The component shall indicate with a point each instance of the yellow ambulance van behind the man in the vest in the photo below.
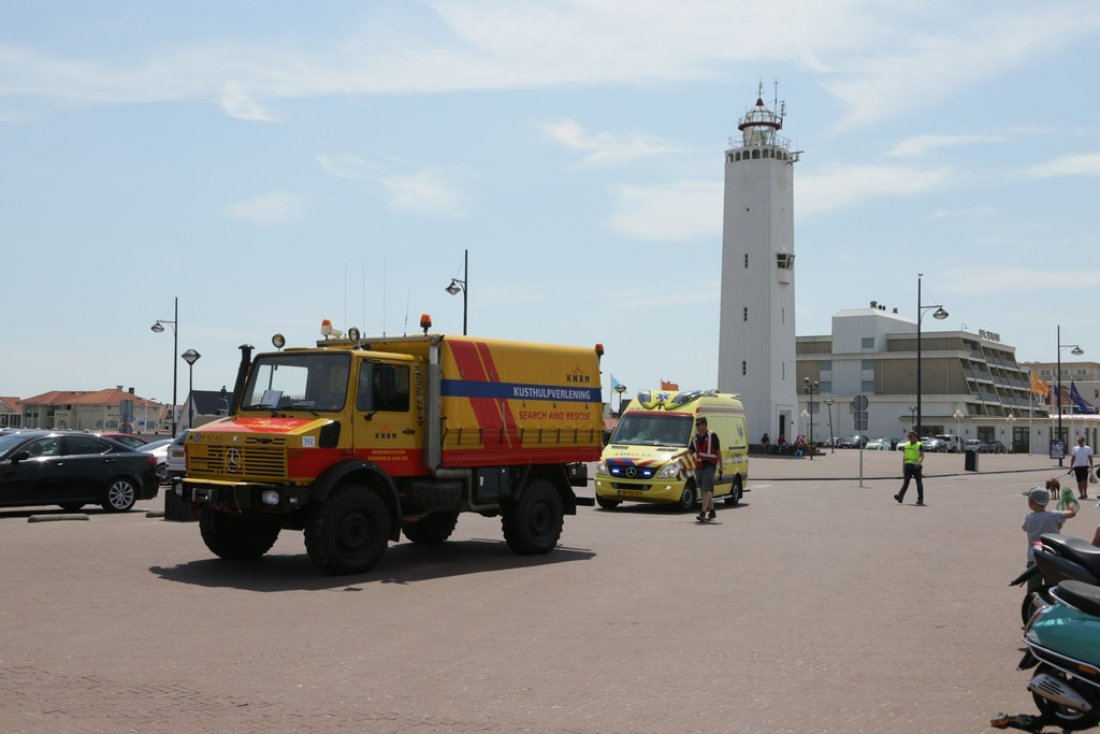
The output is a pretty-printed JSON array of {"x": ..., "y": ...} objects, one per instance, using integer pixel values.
[{"x": 639, "y": 464}]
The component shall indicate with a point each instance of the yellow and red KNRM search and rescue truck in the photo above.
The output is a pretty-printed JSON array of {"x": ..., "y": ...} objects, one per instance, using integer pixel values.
[{"x": 360, "y": 440}]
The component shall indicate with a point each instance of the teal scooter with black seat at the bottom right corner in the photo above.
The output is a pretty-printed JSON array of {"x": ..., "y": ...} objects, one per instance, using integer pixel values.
[{"x": 1063, "y": 644}]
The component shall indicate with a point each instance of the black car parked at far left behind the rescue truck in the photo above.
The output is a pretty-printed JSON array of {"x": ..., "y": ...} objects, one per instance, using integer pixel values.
[{"x": 73, "y": 469}]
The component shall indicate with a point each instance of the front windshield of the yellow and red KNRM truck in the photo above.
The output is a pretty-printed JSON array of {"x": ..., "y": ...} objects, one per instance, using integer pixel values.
[{"x": 299, "y": 381}]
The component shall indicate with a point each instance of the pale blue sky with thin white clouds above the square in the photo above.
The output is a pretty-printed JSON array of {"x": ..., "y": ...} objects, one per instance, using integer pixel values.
[{"x": 273, "y": 163}]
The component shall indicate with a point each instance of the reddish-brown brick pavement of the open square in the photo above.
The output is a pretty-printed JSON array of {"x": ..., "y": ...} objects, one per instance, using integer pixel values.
[{"x": 819, "y": 606}]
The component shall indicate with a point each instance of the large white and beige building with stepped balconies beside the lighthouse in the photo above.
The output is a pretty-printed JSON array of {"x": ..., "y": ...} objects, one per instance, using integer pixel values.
[{"x": 972, "y": 385}]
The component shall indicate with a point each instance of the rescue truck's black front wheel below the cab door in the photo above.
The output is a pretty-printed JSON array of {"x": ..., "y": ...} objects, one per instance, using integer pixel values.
[{"x": 350, "y": 532}]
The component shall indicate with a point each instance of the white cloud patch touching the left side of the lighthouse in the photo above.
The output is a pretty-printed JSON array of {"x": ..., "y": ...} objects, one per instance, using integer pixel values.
[{"x": 678, "y": 212}]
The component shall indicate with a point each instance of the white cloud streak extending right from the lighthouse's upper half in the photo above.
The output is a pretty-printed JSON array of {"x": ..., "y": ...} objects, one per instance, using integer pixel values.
[{"x": 841, "y": 188}]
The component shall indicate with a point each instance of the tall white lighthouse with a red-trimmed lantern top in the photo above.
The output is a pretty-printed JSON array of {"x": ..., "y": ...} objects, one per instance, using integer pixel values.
[{"x": 756, "y": 341}]
